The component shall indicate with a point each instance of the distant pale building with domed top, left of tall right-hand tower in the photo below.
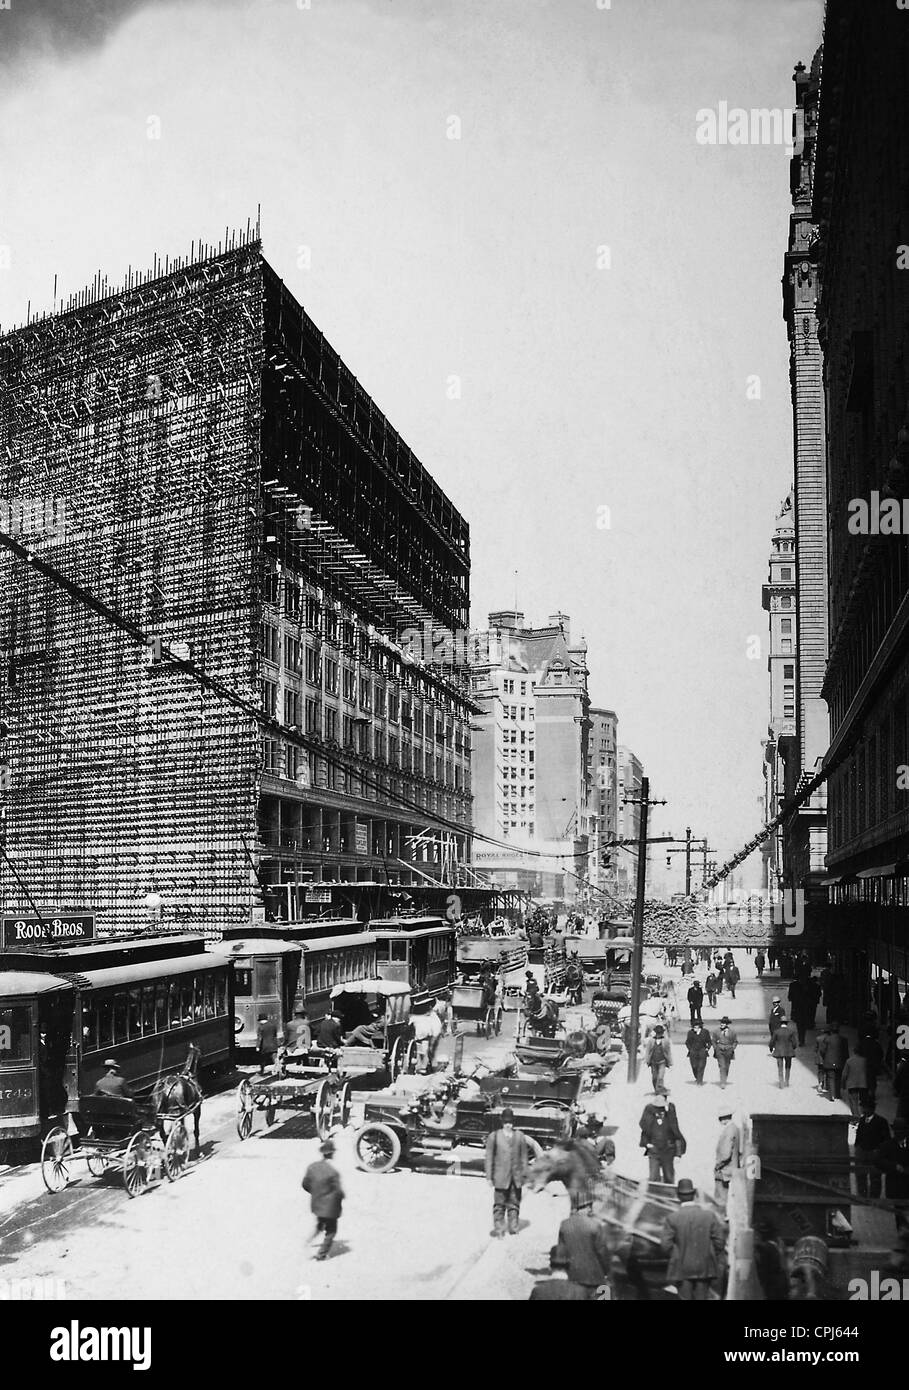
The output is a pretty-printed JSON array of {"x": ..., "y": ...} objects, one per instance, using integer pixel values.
[{"x": 780, "y": 747}]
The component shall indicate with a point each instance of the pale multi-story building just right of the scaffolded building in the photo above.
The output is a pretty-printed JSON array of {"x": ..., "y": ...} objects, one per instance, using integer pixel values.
[{"x": 530, "y": 755}]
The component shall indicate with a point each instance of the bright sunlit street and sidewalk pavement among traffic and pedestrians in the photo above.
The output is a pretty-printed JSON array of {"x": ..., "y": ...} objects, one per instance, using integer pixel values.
[{"x": 238, "y": 1224}]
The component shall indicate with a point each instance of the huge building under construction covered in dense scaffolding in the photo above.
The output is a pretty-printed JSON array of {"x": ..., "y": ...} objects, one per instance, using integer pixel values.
[{"x": 208, "y": 696}]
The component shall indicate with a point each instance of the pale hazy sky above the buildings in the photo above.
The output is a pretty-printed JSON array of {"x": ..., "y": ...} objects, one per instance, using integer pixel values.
[{"x": 500, "y": 215}]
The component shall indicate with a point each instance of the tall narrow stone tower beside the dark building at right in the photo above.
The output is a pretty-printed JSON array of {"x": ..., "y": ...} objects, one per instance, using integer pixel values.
[{"x": 805, "y": 832}]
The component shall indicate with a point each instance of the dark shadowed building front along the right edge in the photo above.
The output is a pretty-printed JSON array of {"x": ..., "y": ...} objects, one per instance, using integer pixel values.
[{"x": 861, "y": 187}]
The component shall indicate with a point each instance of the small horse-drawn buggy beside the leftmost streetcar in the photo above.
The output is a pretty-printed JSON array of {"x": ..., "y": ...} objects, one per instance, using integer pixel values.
[{"x": 117, "y": 1134}]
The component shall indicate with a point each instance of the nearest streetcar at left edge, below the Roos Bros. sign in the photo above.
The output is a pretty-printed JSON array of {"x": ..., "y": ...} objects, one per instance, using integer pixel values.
[{"x": 65, "y": 1011}]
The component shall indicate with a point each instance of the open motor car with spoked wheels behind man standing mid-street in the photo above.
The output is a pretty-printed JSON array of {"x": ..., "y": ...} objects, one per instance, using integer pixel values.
[{"x": 408, "y": 1128}]
